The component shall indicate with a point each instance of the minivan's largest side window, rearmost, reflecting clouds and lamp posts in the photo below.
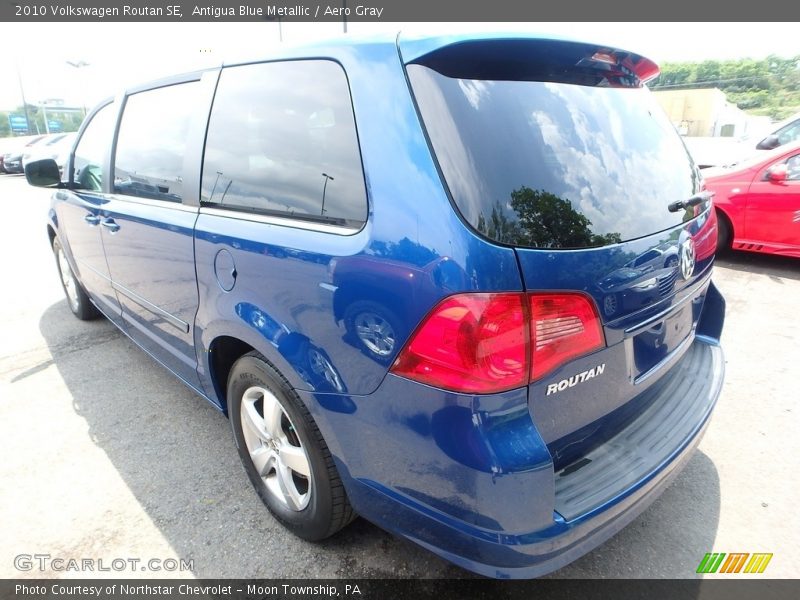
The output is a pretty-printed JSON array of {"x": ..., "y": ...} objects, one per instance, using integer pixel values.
[{"x": 282, "y": 141}]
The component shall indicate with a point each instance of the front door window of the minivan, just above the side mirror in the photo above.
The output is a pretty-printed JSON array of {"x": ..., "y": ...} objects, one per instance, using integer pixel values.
[{"x": 90, "y": 155}]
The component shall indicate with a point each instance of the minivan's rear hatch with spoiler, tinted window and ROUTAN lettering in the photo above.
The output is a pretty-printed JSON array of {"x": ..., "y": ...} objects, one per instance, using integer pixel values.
[{"x": 558, "y": 150}]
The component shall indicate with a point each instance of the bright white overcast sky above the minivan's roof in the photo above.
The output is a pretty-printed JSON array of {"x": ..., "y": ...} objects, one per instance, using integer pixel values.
[{"x": 120, "y": 54}]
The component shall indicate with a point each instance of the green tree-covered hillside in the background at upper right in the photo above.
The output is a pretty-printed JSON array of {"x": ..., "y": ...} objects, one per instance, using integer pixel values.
[{"x": 770, "y": 86}]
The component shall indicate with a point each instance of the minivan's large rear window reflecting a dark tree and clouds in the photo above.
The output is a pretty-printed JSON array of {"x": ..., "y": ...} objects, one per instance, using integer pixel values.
[{"x": 555, "y": 164}]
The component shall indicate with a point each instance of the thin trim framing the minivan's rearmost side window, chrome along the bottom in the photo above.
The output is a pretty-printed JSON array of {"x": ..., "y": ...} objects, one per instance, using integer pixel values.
[{"x": 264, "y": 216}]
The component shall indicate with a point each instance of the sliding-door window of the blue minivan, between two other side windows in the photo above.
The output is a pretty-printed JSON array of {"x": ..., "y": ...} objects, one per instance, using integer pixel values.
[{"x": 152, "y": 143}]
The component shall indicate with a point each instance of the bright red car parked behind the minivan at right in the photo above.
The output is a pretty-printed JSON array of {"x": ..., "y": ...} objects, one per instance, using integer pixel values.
[{"x": 758, "y": 203}]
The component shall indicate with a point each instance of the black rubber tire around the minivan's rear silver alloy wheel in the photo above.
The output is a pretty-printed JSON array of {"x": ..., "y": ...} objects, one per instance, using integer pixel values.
[{"x": 327, "y": 509}]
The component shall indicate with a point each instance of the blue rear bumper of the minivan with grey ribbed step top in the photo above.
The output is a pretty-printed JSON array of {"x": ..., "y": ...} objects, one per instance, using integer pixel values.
[{"x": 473, "y": 482}]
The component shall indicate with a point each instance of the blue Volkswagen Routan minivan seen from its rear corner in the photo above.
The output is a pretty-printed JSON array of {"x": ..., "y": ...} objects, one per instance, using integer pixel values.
[{"x": 460, "y": 286}]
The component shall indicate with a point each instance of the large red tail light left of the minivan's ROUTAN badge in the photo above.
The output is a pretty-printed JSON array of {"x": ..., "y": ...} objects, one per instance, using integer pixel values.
[{"x": 489, "y": 343}]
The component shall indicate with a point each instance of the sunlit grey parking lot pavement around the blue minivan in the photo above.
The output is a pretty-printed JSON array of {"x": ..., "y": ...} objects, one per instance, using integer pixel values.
[{"x": 107, "y": 455}]
